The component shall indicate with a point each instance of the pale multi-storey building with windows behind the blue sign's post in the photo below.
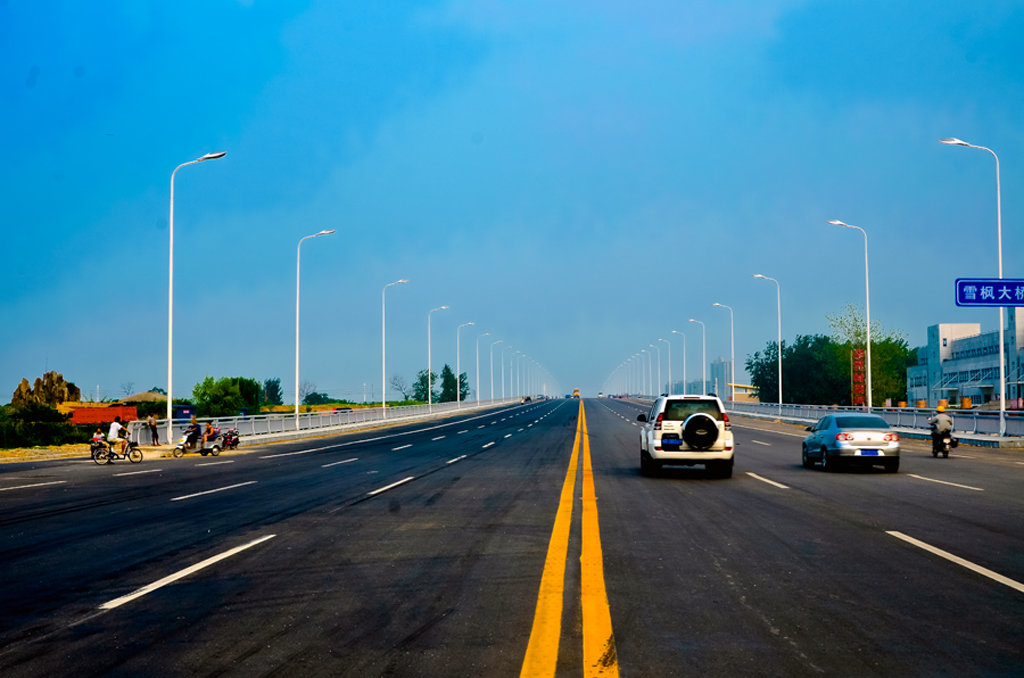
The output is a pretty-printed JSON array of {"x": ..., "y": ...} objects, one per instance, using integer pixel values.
[{"x": 960, "y": 363}]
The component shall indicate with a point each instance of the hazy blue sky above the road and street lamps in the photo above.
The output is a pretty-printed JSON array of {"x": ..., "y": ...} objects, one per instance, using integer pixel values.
[{"x": 577, "y": 179}]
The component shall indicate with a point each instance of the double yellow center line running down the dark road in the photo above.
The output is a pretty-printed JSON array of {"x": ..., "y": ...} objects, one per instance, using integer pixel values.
[{"x": 599, "y": 642}]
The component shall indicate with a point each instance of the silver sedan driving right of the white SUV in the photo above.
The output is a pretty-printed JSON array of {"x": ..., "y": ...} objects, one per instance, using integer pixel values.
[{"x": 843, "y": 440}]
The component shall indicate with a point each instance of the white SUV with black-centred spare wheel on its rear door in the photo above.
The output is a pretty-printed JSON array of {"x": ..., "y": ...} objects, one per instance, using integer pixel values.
[{"x": 687, "y": 431}]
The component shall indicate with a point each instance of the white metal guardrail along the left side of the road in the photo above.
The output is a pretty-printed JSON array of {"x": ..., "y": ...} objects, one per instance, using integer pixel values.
[{"x": 308, "y": 421}]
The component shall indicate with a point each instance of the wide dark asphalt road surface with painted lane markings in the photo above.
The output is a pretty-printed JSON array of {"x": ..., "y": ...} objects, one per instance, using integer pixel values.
[{"x": 523, "y": 541}]
